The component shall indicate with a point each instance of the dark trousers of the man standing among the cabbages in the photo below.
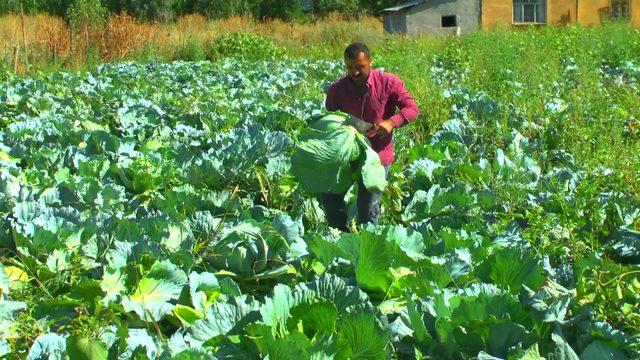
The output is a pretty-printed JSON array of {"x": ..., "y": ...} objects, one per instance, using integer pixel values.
[{"x": 368, "y": 204}]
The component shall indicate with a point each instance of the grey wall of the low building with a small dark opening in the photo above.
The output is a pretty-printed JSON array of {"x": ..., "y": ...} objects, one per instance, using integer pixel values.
[{"x": 426, "y": 18}]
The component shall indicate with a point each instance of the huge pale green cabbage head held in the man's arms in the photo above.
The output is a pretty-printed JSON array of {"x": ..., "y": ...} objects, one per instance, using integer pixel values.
[{"x": 330, "y": 156}]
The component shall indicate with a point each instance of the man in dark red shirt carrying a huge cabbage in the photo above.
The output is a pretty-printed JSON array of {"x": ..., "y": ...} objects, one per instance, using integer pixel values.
[{"x": 377, "y": 98}]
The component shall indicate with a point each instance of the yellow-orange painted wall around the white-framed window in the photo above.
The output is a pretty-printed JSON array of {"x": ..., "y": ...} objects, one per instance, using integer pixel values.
[{"x": 559, "y": 12}]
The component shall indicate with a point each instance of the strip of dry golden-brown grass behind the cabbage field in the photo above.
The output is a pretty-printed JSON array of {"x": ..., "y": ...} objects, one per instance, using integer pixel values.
[{"x": 49, "y": 39}]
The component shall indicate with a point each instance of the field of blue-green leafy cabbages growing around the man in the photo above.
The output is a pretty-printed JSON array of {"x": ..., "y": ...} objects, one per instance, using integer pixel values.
[{"x": 150, "y": 211}]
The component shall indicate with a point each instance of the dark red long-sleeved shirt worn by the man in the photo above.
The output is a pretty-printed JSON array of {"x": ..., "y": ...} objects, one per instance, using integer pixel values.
[{"x": 386, "y": 98}]
